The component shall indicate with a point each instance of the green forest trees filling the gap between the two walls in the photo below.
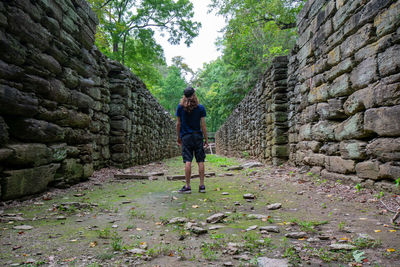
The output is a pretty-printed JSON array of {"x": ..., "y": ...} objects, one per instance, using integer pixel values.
[{"x": 255, "y": 32}]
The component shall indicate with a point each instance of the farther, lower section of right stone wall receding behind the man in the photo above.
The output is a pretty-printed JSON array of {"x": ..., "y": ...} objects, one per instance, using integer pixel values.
[{"x": 258, "y": 125}]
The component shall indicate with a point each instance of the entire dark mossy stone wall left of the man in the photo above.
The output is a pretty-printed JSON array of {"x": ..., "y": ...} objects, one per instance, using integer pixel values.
[{"x": 65, "y": 109}]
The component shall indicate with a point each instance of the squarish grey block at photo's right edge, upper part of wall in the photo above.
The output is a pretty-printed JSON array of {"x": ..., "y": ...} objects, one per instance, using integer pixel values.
[{"x": 389, "y": 61}]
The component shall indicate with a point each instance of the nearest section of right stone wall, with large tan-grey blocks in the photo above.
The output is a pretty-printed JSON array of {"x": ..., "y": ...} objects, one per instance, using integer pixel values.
[{"x": 344, "y": 92}]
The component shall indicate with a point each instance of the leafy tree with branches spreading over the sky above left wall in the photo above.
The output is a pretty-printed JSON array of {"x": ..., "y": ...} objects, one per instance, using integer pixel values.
[{"x": 124, "y": 19}]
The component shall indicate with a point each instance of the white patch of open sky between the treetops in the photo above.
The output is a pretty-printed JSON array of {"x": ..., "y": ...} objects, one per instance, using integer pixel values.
[{"x": 203, "y": 48}]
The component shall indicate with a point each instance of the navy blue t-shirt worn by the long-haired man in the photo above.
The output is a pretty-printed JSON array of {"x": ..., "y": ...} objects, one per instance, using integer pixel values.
[{"x": 190, "y": 122}]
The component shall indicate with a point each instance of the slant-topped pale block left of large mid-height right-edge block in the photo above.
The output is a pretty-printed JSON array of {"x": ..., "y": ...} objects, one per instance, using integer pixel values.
[{"x": 352, "y": 128}]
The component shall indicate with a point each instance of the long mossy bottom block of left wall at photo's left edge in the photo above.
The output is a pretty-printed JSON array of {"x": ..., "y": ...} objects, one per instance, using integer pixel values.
[{"x": 18, "y": 183}]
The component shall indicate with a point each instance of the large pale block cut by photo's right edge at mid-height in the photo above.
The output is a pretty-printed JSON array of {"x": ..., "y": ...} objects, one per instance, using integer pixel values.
[{"x": 383, "y": 121}]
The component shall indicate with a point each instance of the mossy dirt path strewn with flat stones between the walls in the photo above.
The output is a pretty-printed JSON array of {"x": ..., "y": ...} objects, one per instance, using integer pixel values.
[{"x": 109, "y": 222}]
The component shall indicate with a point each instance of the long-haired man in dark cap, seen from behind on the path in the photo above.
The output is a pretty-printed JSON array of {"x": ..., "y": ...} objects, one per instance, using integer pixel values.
[{"x": 190, "y": 129}]
